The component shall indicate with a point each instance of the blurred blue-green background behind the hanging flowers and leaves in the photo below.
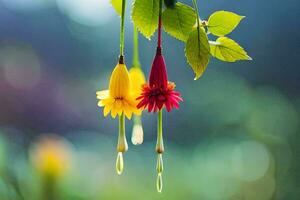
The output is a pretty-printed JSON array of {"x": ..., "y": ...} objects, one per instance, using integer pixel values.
[{"x": 235, "y": 136}]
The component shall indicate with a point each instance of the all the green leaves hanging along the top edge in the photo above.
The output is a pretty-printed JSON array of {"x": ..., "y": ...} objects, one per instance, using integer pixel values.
[{"x": 179, "y": 21}]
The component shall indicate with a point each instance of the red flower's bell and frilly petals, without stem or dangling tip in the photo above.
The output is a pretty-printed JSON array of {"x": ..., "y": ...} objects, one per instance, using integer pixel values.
[{"x": 159, "y": 92}]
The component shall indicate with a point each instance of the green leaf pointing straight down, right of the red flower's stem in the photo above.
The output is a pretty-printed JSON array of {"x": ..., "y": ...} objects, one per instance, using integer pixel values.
[{"x": 197, "y": 51}]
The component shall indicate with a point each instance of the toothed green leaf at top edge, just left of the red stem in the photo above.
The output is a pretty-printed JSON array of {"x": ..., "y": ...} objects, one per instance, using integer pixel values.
[{"x": 145, "y": 16}]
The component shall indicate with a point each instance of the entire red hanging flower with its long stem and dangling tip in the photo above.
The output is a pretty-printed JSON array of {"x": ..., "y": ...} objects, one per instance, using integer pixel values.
[{"x": 156, "y": 95}]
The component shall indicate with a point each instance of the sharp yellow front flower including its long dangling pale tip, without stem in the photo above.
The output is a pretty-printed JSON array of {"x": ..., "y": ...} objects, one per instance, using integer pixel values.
[{"x": 120, "y": 100}]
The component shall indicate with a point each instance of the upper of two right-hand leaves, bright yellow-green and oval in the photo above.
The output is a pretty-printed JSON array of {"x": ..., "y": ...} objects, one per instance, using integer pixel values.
[{"x": 222, "y": 23}]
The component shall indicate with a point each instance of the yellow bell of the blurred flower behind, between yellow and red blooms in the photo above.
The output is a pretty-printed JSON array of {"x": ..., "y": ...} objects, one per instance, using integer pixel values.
[{"x": 137, "y": 78}]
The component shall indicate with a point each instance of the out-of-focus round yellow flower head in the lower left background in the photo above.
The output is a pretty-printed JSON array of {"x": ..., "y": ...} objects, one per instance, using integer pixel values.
[{"x": 51, "y": 156}]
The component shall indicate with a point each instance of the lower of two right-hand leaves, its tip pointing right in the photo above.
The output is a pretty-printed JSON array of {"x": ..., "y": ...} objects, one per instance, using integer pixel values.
[{"x": 226, "y": 49}]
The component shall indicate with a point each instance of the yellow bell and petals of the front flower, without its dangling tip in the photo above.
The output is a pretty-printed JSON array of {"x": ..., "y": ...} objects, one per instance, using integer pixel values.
[{"x": 119, "y": 98}]
